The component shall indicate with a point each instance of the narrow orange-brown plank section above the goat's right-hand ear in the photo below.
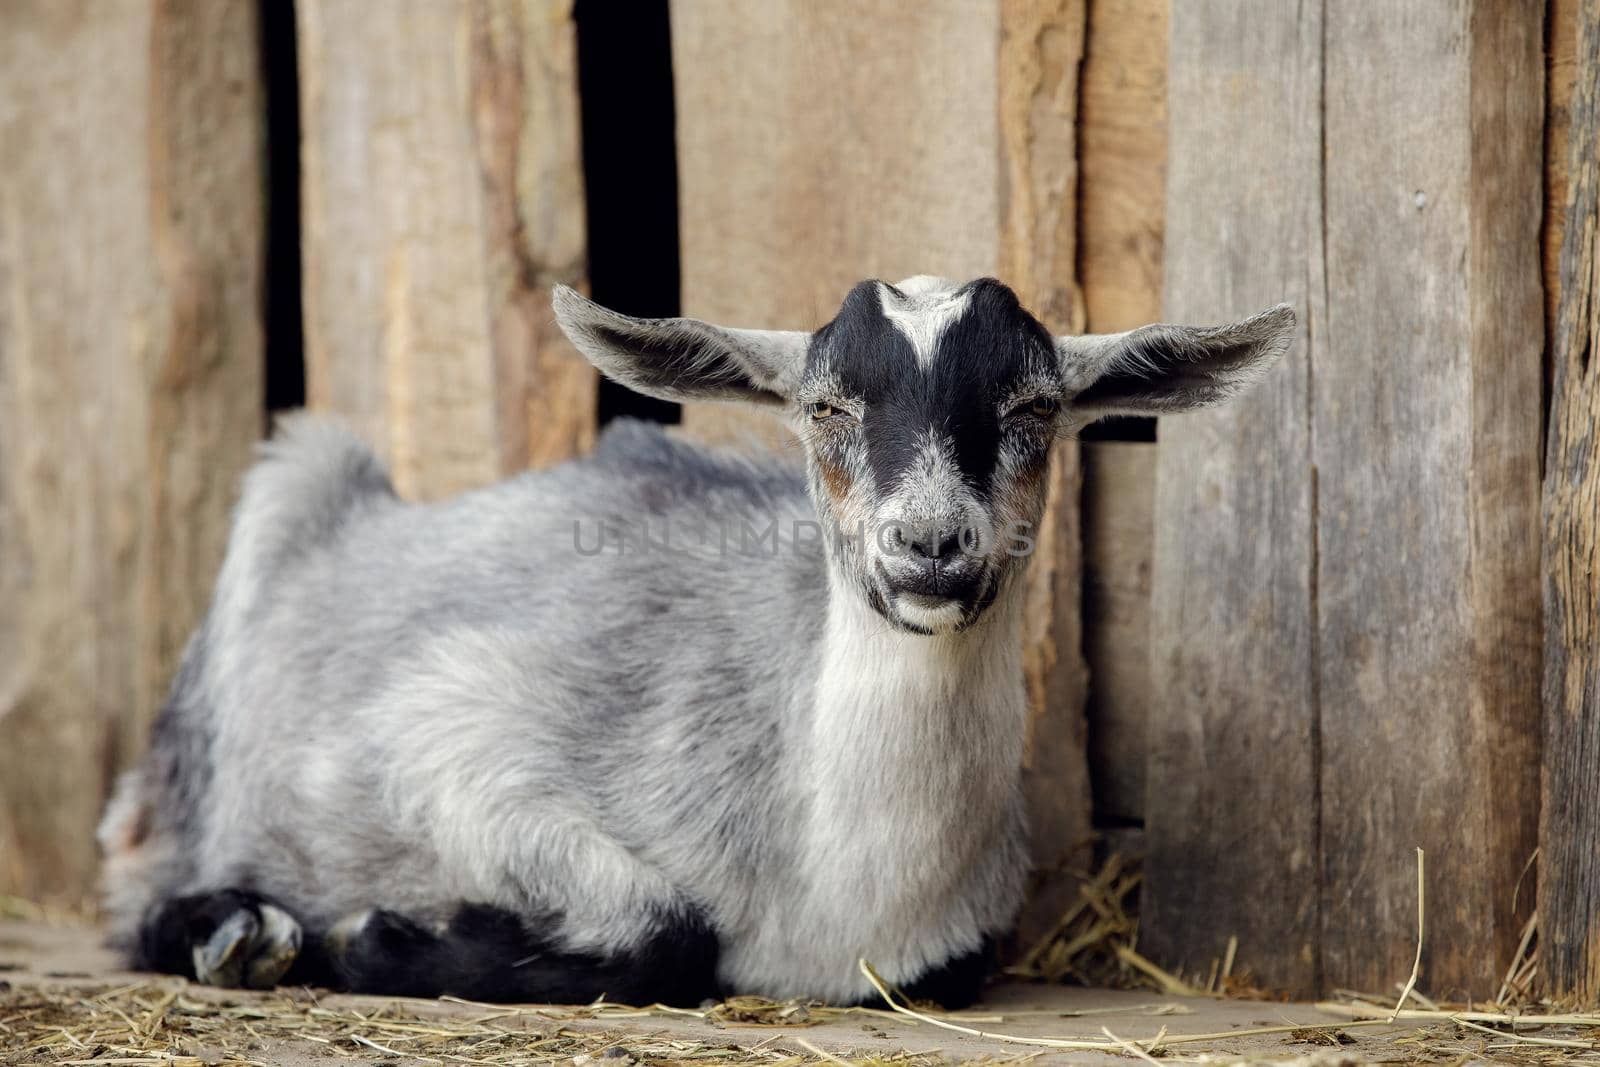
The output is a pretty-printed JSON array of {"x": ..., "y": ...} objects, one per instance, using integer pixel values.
[{"x": 1122, "y": 153}]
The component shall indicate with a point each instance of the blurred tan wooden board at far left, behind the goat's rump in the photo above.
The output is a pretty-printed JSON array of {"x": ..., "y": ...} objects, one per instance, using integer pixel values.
[{"x": 130, "y": 386}]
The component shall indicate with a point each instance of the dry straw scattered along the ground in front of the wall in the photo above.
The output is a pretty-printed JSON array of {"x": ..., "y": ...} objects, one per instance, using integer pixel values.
[{"x": 170, "y": 1023}]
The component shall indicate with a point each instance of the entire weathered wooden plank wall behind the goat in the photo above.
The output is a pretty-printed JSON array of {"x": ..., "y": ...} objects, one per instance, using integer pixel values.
[{"x": 1310, "y": 625}]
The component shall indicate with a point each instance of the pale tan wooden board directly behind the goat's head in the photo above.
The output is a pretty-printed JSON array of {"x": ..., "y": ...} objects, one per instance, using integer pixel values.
[{"x": 884, "y": 140}]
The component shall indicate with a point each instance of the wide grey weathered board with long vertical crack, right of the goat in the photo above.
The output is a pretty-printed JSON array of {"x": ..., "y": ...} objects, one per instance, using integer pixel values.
[{"x": 1345, "y": 599}]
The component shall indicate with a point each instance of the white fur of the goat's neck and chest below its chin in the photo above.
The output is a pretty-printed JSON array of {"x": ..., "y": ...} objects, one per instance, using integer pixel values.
[{"x": 908, "y": 785}]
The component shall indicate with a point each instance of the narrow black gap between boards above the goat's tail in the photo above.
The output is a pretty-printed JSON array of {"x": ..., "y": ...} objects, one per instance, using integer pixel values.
[{"x": 282, "y": 314}]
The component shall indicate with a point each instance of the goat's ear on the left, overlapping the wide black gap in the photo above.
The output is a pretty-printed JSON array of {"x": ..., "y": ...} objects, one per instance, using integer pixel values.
[{"x": 684, "y": 359}]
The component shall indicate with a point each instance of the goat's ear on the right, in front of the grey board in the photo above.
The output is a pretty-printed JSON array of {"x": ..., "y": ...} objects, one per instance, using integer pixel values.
[{"x": 1158, "y": 370}]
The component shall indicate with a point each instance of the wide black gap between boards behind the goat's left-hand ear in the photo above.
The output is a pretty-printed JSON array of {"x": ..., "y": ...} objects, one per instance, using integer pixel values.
[{"x": 631, "y": 172}]
